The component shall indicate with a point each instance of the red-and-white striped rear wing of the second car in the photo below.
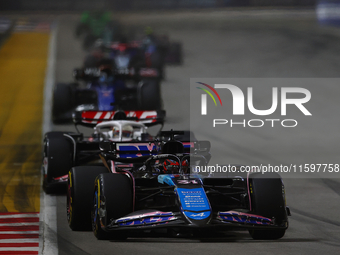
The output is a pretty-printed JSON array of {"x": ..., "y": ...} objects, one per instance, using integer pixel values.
[{"x": 92, "y": 118}]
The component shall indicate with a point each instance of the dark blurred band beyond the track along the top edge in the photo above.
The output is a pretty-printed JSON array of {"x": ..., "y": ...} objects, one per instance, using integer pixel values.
[{"x": 79, "y": 5}]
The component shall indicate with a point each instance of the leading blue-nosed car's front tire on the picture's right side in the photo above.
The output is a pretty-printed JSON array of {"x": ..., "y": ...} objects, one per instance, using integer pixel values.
[{"x": 268, "y": 200}]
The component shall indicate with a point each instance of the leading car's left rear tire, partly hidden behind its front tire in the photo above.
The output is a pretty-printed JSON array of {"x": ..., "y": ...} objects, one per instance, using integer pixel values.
[{"x": 79, "y": 195}]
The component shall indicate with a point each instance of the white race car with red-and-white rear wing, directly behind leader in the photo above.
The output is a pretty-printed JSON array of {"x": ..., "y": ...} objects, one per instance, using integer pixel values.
[{"x": 63, "y": 150}]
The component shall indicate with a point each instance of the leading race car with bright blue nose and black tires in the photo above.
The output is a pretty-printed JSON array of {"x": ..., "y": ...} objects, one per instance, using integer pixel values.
[{"x": 167, "y": 192}]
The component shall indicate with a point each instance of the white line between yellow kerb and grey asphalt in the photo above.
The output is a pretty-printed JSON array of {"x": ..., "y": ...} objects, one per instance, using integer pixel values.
[{"x": 48, "y": 204}]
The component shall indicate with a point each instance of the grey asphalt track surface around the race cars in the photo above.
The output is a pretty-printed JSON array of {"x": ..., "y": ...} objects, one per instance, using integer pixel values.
[{"x": 242, "y": 45}]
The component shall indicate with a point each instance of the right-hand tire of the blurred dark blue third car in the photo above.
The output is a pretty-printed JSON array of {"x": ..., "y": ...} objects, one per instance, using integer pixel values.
[{"x": 150, "y": 95}]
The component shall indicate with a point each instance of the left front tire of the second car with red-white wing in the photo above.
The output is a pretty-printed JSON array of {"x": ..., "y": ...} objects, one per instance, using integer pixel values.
[{"x": 57, "y": 159}]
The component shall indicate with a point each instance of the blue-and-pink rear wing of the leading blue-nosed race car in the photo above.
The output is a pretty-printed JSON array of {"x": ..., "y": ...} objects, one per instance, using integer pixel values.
[{"x": 129, "y": 150}]
